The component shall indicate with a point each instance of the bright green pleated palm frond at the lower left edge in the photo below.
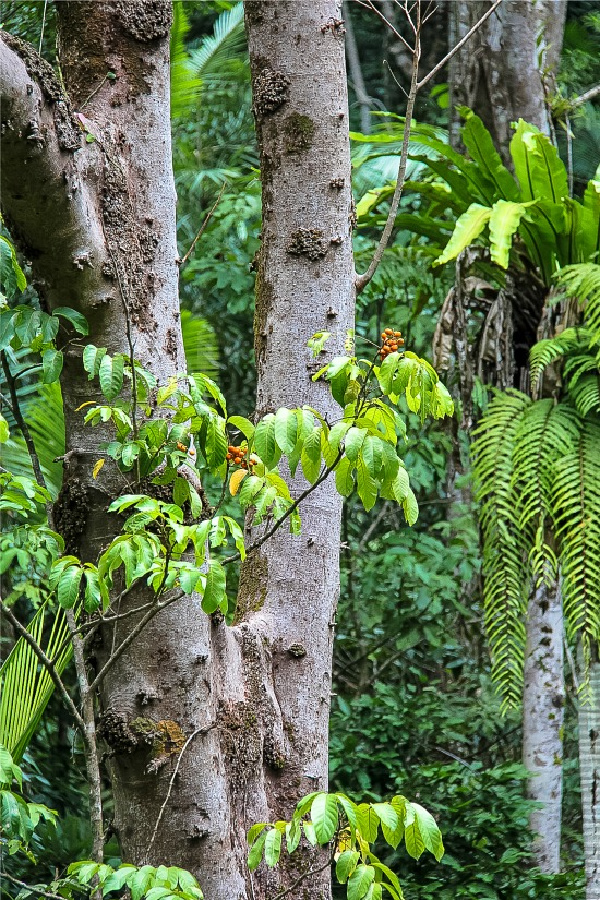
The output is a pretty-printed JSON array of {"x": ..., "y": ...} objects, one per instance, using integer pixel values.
[{"x": 25, "y": 685}]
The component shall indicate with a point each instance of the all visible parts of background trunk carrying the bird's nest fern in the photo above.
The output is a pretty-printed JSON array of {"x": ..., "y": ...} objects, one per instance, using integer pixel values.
[{"x": 501, "y": 76}]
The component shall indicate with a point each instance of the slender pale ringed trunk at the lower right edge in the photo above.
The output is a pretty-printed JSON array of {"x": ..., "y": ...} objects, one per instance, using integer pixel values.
[{"x": 589, "y": 774}]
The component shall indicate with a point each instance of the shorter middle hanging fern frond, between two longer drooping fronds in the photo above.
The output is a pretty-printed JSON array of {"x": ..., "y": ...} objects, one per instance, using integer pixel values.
[{"x": 546, "y": 432}]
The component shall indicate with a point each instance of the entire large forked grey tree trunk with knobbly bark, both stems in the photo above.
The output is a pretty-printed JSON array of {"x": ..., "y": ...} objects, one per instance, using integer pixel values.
[{"x": 97, "y": 217}]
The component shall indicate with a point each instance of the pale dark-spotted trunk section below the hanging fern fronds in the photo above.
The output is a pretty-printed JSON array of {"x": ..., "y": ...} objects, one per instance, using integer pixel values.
[{"x": 543, "y": 715}]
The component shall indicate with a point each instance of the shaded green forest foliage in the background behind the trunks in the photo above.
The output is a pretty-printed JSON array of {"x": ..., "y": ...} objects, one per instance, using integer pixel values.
[{"x": 414, "y": 709}]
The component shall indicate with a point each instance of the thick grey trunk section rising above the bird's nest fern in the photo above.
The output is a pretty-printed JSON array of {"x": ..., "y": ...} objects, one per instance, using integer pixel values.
[{"x": 498, "y": 73}]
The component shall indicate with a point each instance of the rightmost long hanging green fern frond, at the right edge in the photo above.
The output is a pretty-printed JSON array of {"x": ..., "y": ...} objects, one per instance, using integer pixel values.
[{"x": 576, "y": 507}]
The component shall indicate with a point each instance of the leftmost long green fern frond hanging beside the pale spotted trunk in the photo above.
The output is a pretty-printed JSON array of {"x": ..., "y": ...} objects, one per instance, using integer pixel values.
[{"x": 504, "y": 548}]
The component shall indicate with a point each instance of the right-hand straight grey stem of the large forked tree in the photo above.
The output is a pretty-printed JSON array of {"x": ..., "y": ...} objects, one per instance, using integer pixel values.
[{"x": 304, "y": 284}]
